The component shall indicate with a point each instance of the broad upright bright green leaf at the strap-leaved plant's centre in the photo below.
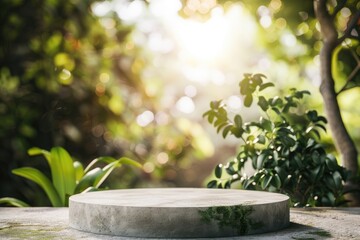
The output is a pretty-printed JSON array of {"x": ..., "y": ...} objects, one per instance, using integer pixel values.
[{"x": 63, "y": 172}]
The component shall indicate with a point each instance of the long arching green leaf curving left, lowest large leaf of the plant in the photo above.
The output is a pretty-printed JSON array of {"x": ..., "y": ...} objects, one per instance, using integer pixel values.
[{"x": 39, "y": 178}]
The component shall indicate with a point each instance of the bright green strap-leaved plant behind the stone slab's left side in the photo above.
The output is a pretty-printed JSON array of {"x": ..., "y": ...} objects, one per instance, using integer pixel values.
[{"x": 68, "y": 177}]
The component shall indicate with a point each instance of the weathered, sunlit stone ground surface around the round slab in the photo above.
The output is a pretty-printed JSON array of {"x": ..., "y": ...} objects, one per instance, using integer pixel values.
[{"x": 306, "y": 224}]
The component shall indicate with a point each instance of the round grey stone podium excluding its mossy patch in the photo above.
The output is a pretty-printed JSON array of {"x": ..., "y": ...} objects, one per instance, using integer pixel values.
[{"x": 172, "y": 212}]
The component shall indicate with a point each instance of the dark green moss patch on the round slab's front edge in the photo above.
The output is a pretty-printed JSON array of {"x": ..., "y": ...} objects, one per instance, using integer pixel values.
[{"x": 236, "y": 217}]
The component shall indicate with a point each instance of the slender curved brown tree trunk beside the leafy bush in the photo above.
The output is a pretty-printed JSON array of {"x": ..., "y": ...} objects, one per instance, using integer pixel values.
[{"x": 342, "y": 139}]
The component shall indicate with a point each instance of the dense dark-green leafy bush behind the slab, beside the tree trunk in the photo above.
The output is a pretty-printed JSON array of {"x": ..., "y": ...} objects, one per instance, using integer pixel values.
[{"x": 282, "y": 146}]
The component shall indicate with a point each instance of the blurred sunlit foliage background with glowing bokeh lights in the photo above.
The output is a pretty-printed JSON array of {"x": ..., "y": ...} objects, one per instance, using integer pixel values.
[{"x": 132, "y": 78}]
